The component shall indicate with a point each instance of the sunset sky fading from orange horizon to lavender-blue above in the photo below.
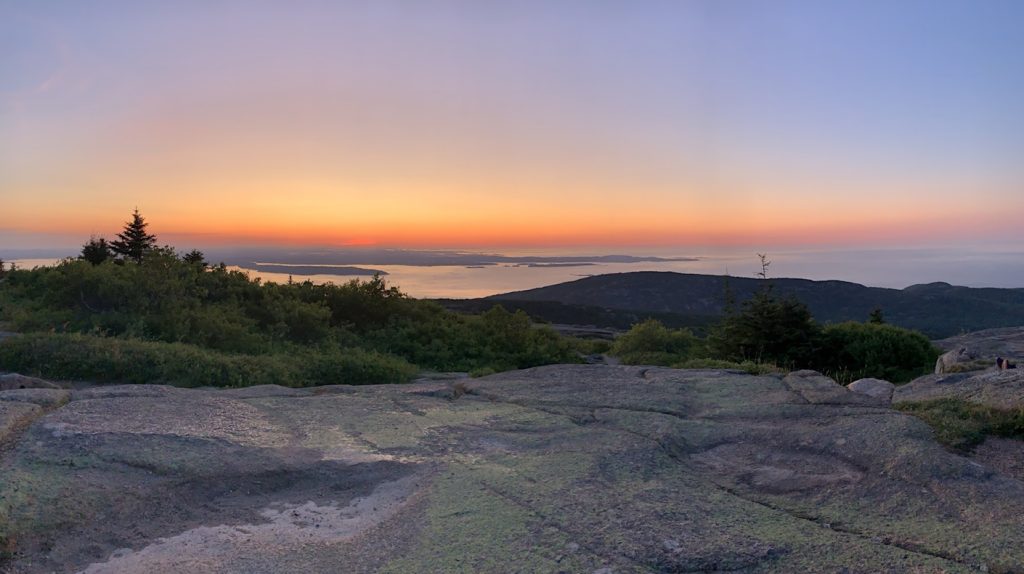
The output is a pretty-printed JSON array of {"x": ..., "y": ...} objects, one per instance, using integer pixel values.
[{"x": 476, "y": 124}]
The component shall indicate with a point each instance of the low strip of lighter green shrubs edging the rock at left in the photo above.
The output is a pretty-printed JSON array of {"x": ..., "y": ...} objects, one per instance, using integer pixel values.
[{"x": 83, "y": 358}]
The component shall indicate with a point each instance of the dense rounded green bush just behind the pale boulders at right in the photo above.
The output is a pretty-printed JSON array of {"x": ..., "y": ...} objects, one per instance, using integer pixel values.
[{"x": 850, "y": 351}]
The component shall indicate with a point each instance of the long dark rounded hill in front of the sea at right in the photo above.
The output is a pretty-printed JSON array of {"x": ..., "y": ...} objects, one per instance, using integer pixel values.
[{"x": 937, "y": 310}]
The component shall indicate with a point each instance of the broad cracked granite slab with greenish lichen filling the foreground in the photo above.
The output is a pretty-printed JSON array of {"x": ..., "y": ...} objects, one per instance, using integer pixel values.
[{"x": 562, "y": 469}]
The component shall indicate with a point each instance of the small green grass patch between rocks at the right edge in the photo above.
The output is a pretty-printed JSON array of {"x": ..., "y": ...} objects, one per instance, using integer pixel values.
[{"x": 962, "y": 425}]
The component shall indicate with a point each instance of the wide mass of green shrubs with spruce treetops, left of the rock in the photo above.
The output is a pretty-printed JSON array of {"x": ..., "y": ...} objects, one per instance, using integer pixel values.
[{"x": 131, "y": 312}]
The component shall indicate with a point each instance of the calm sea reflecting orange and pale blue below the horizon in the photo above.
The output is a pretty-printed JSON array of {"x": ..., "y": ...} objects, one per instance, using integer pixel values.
[{"x": 1001, "y": 267}]
